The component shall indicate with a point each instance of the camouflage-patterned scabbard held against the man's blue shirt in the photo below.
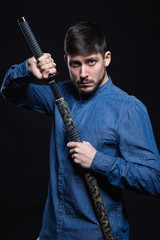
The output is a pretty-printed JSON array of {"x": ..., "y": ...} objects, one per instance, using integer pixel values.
[{"x": 91, "y": 181}]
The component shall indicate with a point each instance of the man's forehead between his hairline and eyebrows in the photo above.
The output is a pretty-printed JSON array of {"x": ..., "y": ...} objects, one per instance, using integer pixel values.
[{"x": 80, "y": 57}]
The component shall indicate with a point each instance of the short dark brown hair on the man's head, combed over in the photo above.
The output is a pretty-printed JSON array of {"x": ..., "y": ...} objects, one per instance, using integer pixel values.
[{"x": 85, "y": 38}]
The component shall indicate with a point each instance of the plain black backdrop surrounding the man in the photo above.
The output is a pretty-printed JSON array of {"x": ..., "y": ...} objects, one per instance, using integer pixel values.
[{"x": 132, "y": 31}]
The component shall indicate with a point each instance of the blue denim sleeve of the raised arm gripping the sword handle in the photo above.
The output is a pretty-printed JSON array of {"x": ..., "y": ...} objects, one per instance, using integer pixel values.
[{"x": 18, "y": 88}]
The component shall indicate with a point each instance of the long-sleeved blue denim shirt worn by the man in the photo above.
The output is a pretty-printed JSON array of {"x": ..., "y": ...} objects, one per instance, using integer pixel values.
[{"x": 118, "y": 126}]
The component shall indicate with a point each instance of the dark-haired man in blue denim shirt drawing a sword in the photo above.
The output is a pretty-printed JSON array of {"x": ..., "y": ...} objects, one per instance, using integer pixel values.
[{"x": 118, "y": 143}]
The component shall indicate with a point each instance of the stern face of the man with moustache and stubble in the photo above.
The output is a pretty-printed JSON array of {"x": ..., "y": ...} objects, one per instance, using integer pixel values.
[{"x": 88, "y": 72}]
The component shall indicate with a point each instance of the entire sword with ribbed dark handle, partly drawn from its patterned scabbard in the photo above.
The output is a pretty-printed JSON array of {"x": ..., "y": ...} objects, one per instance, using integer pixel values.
[{"x": 73, "y": 134}]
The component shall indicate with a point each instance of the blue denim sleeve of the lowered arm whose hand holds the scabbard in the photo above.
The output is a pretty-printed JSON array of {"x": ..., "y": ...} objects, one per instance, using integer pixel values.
[{"x": 138, "y": 164}]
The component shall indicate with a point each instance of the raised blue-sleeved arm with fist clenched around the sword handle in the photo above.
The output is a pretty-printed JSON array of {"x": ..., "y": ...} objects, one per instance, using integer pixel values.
[{"x": 17, "y": 86}]
